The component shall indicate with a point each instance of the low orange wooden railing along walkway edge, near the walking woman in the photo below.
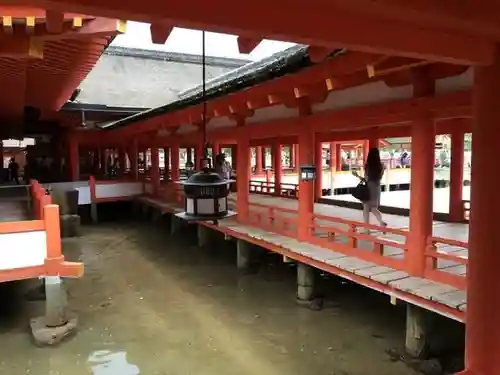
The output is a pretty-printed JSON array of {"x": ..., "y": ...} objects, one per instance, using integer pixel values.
[{"x": 446, "y": 258}]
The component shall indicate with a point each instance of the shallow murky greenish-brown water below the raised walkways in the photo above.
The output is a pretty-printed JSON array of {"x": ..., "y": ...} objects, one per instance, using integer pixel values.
[{"x": 152, "y": 305}]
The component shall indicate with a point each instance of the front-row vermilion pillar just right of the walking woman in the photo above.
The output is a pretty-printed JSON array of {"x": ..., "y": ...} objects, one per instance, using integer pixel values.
[{"x": 422, "y": 184}]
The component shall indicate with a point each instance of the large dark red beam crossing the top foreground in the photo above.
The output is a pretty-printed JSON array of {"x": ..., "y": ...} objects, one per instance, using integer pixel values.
[{"x": 338, "y": 24}]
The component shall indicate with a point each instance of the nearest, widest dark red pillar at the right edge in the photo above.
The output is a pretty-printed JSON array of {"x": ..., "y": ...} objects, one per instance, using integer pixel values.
[{"x": 483, "y": 293}]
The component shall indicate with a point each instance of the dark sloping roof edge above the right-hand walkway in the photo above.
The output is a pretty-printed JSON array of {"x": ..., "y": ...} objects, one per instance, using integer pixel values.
[{"x": 289, "y": 61}]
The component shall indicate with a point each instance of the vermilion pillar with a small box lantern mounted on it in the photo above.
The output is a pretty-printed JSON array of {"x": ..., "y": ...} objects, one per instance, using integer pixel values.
[{"x": 306, "y": 188}]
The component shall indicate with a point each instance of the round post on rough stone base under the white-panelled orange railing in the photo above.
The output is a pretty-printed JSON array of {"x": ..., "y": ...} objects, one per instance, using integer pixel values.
[{"x": 56, "y": 324}]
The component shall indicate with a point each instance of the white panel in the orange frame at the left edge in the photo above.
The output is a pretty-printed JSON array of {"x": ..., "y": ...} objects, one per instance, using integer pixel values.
[{"x": 18, "y": 250}]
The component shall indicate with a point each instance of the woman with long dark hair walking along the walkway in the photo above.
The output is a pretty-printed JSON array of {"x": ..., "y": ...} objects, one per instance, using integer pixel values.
[{"x": 374, "y": 170}]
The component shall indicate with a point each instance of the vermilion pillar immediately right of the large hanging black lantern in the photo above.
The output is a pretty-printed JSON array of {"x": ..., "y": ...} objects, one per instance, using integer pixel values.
[{"x": 242, "y": 174}]
